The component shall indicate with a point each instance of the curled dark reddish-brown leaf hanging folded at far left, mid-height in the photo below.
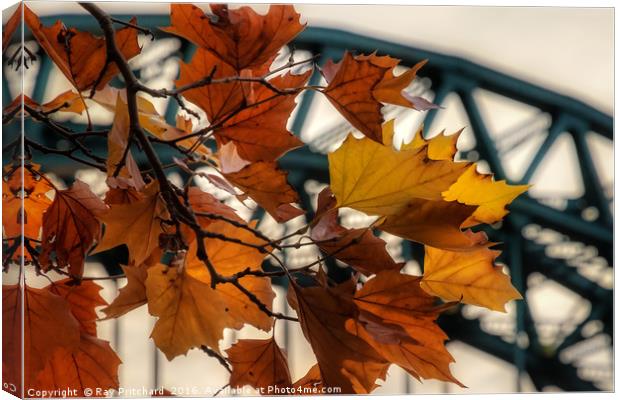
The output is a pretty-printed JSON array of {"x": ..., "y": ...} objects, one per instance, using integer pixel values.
[{"x": 70, "y": 228}]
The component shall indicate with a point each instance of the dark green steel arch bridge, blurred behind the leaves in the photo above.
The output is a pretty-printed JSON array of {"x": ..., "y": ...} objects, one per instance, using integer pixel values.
[{"x": 581, "y": 226}]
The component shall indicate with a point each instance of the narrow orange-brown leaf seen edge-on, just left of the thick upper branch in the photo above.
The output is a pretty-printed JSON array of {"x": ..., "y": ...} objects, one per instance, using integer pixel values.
[{"x": 118, "y": 153}]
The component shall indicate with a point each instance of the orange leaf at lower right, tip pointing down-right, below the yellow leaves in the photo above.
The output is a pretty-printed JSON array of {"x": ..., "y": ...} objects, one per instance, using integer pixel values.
[{"x": 398, "y": 319}]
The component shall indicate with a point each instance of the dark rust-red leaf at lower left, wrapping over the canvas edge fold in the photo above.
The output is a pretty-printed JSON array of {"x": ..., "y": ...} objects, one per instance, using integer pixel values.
[{"x": 48, "y": 325}]
